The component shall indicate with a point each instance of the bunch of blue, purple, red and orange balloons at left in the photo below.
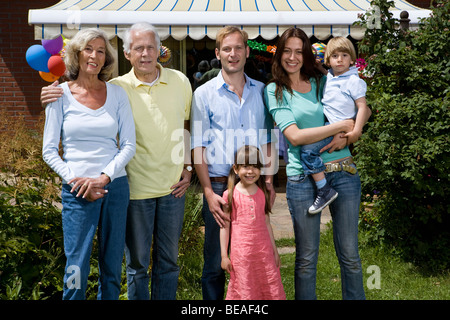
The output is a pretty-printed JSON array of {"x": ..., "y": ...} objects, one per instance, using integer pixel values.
[{"x": 48, "y": 58}]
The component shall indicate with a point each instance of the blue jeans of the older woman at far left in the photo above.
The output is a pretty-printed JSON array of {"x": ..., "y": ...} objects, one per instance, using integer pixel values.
[{"x": 80, "y": 220}]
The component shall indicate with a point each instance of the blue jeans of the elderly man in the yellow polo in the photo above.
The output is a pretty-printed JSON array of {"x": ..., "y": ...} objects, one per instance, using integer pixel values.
[{"x": 161, "y": 220}]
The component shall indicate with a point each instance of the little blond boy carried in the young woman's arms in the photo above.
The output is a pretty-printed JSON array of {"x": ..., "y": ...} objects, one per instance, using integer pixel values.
[{"x": 343, "y": 98}]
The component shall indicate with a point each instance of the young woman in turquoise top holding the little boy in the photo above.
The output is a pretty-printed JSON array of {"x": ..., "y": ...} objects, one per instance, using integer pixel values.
[{"x": 293, "y": 98}]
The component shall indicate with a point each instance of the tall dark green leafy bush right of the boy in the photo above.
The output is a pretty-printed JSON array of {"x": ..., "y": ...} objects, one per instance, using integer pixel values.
[{"x": 403, "y": 156}]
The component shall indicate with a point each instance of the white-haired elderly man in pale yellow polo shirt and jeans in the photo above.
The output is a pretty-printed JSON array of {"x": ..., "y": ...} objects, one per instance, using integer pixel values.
[{"x": 160, "y": 100}]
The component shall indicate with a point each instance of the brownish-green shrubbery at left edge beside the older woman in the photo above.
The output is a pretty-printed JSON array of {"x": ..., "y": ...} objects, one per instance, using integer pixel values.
[{"x": 31, "y": 254}]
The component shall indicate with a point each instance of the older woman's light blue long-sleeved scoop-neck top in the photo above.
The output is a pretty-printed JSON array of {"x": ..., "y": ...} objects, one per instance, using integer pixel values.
[{"x": 89, "y": 137}]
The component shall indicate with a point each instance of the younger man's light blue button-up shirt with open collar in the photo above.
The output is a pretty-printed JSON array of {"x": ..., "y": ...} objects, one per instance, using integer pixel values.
[{"x": 222, "y": 123}]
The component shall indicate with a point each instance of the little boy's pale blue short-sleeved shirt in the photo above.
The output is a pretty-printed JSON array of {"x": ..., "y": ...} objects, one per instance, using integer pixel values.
[{"x": 340, "y": 93}]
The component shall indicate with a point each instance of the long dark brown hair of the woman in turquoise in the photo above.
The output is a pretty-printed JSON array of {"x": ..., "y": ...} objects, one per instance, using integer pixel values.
[{"x": 280, "y": 76}]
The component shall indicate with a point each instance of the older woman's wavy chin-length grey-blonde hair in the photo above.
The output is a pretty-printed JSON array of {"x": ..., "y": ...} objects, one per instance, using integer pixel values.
[{"x": 78, "y": 43}]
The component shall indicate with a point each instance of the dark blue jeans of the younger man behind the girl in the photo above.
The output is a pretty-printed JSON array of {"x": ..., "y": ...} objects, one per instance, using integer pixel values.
[{"x": 213, "y": 277}]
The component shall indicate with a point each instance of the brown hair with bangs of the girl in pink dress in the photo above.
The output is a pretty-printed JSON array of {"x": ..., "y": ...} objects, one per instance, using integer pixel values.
[{"x": 247, "y": 155}]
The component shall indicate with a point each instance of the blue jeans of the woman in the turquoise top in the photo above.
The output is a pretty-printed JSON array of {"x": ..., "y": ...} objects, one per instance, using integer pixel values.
[{"x": 300, "y": 194}]
